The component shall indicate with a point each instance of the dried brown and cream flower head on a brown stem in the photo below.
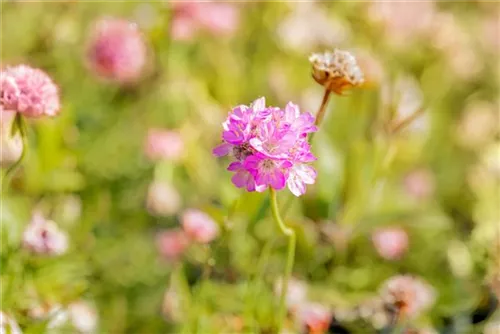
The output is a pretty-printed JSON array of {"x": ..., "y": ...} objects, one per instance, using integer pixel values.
[{"x": 337, "y": 71}]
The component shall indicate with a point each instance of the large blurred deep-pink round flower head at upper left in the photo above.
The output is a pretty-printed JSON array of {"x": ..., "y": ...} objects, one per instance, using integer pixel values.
[{"x": 117, "y": 50}]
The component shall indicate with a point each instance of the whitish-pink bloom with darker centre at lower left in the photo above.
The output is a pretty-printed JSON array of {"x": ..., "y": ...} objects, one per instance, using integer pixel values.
[{"x": 43, "y": 236}]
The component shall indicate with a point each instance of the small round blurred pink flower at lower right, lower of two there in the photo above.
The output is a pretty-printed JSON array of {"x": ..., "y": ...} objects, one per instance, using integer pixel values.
[{"x": 390, "y": 243}]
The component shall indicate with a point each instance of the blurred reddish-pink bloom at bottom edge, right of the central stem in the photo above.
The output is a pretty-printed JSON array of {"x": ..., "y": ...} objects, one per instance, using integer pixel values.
[{"x": 314, "y": 317}]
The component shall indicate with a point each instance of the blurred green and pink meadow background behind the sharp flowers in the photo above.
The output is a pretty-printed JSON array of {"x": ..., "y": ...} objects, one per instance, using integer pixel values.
[{"x": 408, "y": 168}]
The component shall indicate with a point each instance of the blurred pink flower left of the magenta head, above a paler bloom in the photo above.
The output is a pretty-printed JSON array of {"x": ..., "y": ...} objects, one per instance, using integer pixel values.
[{"x": 163, "y": 144}]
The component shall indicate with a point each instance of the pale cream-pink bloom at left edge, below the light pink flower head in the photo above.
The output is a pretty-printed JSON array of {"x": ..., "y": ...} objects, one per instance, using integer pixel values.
[{"x": 11, "y": 146}]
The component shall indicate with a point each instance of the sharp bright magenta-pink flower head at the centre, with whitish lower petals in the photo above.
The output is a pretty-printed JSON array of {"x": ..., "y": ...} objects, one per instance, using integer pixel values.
[{"x": 270, "y": 146}]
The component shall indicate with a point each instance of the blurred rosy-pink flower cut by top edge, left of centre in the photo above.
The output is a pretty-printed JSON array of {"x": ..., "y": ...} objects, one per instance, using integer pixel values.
[{"x": 190, "y": 17}]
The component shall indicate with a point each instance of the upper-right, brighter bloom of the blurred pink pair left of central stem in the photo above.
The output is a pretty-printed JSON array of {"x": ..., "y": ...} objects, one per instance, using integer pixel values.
[{"x": 199, "y": 226}]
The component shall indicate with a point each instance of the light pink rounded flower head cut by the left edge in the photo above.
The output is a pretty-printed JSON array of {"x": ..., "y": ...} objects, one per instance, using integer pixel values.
[{"x": 29, "y": 91}]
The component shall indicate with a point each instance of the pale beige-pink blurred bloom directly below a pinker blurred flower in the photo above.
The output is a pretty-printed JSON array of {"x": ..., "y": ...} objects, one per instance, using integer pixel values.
[{"x": 163, "y": 199}]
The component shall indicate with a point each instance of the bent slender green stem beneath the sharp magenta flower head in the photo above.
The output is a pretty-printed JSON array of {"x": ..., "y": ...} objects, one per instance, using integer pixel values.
[{"x": 290, "y": 234}]
